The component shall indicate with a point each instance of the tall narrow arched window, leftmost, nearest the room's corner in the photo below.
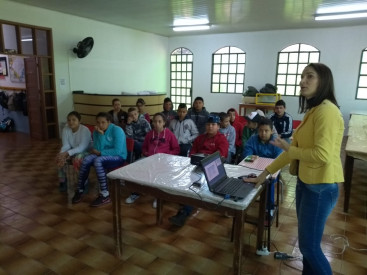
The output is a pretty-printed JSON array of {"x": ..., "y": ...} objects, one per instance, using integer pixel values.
[{"x": 181, "y": 77}]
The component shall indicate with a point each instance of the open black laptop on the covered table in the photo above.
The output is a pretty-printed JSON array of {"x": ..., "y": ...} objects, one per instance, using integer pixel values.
[{"x": 218, "y": 181}]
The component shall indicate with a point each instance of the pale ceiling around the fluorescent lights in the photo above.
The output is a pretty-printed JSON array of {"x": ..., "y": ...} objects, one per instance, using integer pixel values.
[{"x": 156, "y": 16}]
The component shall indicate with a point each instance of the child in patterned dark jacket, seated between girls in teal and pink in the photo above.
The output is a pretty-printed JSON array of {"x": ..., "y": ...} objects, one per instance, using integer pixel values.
[{"x": 136, "y": 128}]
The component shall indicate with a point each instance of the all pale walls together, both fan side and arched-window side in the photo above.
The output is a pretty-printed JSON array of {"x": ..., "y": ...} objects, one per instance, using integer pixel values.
[{"x": 127, "y": 60}]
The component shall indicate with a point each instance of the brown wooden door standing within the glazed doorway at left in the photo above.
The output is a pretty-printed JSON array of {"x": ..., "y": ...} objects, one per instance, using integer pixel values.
[{"x": 34, "y": 99}]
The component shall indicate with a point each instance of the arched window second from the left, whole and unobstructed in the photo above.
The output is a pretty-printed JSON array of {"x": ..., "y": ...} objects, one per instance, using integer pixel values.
[{"x": 228, "y": 70}]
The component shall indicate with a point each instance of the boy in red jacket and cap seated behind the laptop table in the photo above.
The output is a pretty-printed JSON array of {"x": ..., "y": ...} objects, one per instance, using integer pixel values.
[{"x": 207, "y": 143}]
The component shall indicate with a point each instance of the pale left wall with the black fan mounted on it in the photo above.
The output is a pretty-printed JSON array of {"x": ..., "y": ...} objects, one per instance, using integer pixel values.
[{"x": 121, "y": 59}]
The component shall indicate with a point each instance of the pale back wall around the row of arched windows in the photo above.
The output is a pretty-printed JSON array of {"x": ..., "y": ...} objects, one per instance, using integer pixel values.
[{"x": 340, "y": 49}]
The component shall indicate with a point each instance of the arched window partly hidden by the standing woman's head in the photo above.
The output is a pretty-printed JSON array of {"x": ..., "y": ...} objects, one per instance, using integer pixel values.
[{"x": 291, "y": 62}]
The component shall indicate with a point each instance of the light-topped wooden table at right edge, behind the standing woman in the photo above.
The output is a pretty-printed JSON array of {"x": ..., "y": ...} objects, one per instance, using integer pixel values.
[{"x": 356, "y": 148}]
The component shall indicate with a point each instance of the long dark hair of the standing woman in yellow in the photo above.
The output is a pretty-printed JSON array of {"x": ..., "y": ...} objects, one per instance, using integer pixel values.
[{"x": 325, "y": 90}]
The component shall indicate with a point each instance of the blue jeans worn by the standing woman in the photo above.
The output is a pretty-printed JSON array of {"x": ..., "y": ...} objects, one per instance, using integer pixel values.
[{"x": 314, "y": 203}]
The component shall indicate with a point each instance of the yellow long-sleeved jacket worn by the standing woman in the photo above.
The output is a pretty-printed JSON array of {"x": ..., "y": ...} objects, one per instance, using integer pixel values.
[{"x": 316, "y": 144}]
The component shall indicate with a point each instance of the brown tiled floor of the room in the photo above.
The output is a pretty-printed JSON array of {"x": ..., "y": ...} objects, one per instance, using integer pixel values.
[{"x": 41, "y": 233}]
